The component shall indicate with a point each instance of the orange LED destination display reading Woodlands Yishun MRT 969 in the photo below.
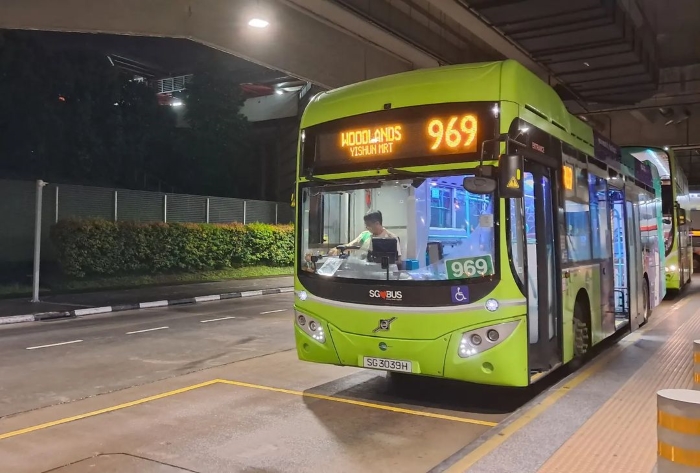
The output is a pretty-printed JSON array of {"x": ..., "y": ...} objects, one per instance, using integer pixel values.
[{"x": 428, "y": 134}]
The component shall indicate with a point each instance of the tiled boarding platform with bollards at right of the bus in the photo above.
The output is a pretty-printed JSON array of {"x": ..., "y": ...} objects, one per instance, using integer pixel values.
[{"x": 603, "y": 417}]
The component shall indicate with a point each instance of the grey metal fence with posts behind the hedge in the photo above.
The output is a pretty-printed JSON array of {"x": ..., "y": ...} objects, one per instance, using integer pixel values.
[{"x": 59, "y": 202}]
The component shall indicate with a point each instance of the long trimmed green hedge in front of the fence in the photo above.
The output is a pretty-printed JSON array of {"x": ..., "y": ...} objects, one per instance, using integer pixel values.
[{"x": 100, "y": 247}]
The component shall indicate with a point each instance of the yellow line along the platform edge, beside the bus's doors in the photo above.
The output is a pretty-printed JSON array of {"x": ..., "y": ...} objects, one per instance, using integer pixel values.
[{"x": 529, "y": 415}]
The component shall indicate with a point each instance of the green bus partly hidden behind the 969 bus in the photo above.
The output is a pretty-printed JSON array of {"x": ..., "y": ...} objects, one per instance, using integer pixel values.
[{"x": 676, "y": 214}]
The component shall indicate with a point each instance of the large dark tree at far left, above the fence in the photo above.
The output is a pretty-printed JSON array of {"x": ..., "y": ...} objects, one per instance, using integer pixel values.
[{"x": 72, "y": 116}]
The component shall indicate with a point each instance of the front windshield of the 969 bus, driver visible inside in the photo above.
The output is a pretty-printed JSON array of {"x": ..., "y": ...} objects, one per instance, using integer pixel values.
[{"x": 427, "y": 229}]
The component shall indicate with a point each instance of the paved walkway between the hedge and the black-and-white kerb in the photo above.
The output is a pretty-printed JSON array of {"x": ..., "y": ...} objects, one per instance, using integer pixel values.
[{"x": 67, "y": 302}]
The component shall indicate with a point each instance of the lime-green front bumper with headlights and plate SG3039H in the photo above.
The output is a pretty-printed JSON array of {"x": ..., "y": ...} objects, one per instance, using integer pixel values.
[{"x": 503, "y": 362}]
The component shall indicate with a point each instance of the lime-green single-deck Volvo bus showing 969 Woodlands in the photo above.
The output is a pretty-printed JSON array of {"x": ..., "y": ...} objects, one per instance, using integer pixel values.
[{"x": 459, "y": 223}]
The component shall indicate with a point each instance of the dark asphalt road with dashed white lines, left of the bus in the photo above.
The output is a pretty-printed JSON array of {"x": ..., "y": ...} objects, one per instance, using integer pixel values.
[{"x": 47, "y": 363}]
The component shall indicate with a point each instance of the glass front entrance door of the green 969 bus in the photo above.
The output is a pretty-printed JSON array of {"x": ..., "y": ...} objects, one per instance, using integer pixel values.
[{"x": 541, "y": 281}]
